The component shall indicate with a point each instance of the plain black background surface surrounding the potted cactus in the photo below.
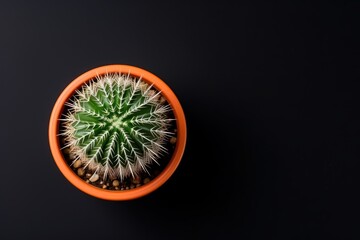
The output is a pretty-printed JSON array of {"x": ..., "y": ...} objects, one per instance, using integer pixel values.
[{"x": 271, "y": 96}]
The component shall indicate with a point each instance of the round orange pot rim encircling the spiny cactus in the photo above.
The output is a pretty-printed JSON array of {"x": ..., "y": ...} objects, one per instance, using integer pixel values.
[{"x": 113, "y": 194}]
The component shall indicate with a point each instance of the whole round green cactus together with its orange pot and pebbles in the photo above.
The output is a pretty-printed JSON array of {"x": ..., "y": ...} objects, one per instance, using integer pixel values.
[{"x": 117, "y": 132}]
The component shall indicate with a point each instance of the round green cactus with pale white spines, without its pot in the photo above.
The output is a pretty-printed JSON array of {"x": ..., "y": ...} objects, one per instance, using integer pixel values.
[{"x": 117, "y": 125}]
